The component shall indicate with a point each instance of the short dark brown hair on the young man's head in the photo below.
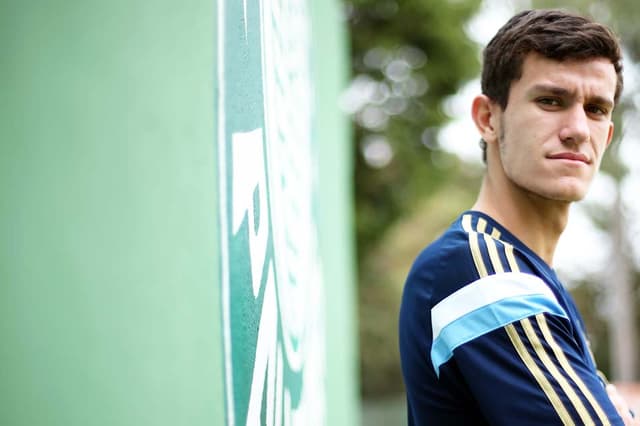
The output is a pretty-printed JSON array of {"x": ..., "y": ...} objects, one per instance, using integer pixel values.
[{"x": 552, "y": 33}]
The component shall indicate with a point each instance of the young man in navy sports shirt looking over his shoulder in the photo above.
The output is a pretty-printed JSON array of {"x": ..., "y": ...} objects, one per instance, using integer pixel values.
[{"x": 488, "y": 334}]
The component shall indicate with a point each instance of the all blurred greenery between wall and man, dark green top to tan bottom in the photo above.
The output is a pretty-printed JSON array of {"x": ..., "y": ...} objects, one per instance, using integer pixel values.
[{"x": 407, "y": 57}]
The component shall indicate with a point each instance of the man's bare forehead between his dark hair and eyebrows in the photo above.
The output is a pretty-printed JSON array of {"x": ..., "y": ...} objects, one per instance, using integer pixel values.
[{"x": 593, "y": 76}]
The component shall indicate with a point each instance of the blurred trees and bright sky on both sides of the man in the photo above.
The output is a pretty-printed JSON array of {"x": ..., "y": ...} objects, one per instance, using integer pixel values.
[{"x": 415, "y": 68}]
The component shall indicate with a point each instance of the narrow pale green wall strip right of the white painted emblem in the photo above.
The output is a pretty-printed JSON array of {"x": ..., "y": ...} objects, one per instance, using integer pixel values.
[{"x": 330, "y": 60}]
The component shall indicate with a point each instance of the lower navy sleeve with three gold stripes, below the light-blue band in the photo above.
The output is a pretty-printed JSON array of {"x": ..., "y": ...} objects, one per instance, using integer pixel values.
[{"x": 531, "y": 371}]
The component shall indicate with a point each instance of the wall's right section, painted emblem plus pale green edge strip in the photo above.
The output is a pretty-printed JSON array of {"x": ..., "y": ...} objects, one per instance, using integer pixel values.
[{"x": 285, "y": 189}]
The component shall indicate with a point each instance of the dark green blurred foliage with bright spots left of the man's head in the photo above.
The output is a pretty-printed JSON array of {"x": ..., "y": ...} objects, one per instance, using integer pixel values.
[{"x": 407, "y": 57}]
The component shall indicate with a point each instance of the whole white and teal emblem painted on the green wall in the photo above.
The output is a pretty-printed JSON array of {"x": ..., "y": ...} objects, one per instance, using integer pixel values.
[{"x": 272, "y": 193}]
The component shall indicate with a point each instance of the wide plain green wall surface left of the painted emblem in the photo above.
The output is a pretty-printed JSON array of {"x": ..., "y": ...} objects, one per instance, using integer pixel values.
[{"x": 109, "y": 307}]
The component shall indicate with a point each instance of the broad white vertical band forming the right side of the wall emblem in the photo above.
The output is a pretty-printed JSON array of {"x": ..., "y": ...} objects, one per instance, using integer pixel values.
[{"x": 288, "y": 109}]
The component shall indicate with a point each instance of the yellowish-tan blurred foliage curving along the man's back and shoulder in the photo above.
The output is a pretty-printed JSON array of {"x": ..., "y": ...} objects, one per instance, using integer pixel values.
[{"x": 384, "y": 271}]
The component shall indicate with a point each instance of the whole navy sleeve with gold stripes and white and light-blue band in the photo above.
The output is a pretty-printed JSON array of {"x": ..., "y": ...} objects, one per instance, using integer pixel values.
[{"x": 512, "y": 342}]
